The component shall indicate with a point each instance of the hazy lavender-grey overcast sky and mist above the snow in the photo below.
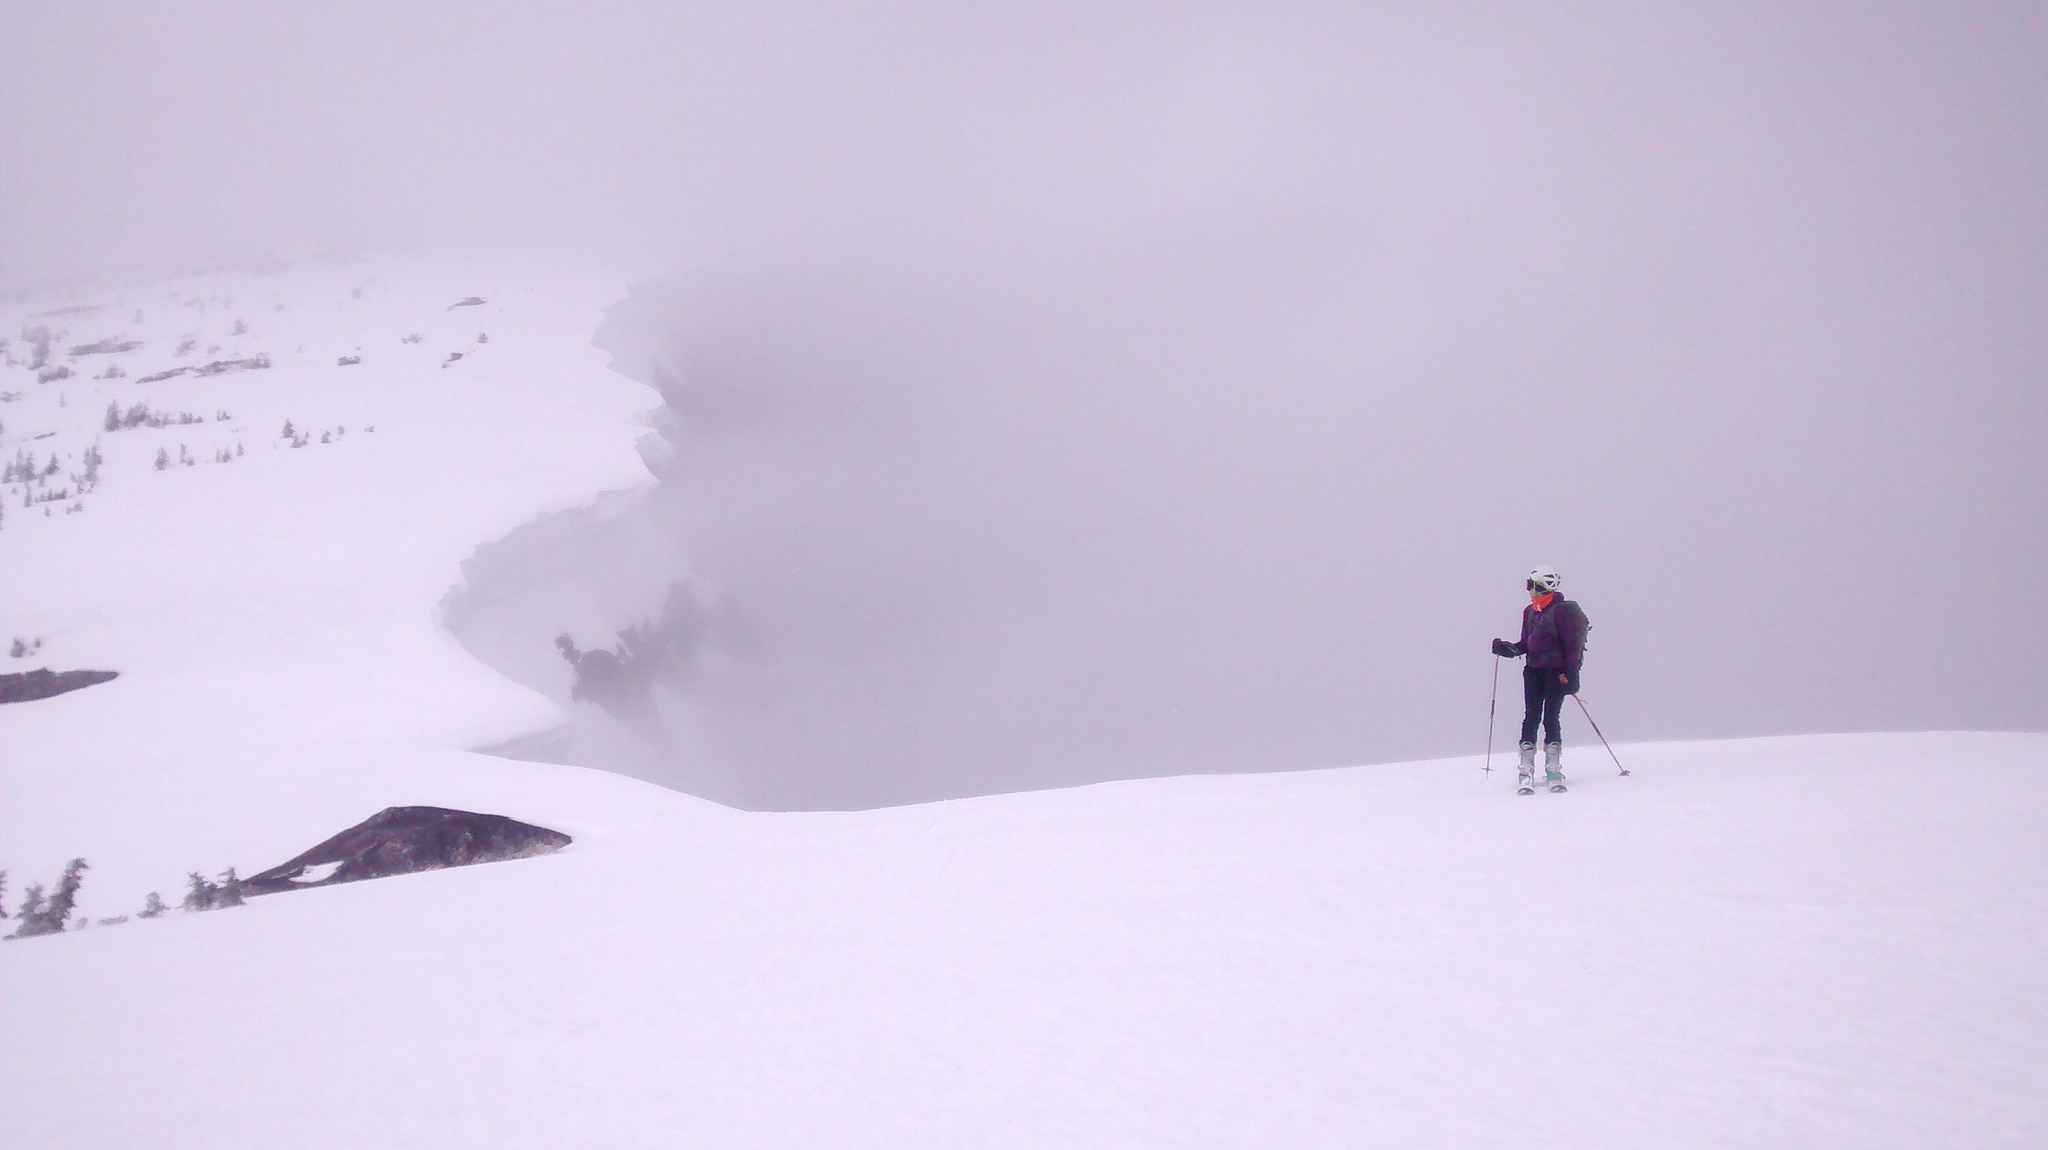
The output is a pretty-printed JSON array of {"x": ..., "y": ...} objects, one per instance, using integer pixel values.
[{"x": 1095, "y": 390}]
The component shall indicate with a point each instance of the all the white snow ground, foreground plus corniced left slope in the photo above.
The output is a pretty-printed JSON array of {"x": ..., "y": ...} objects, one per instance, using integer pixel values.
[{"x": 1834, "y": 942}]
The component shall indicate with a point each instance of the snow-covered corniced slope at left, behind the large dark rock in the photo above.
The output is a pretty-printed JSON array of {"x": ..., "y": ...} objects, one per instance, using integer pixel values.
[{"x": 249, "y": 494}]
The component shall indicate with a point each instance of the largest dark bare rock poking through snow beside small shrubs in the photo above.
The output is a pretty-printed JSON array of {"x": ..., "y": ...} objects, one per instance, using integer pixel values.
[{"x": 402, "y": 840}]
